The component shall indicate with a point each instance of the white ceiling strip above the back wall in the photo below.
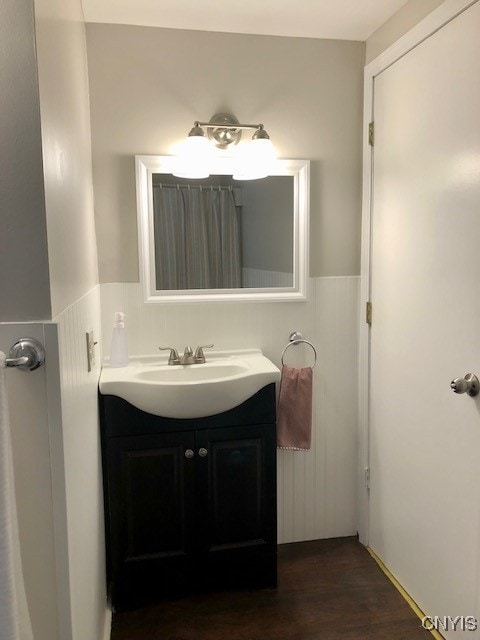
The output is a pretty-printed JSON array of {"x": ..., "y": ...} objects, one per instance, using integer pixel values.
[{"x": 337, "y": 19}]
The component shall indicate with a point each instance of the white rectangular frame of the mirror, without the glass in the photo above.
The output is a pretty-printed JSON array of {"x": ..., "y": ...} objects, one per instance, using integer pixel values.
[{"x": 146, "y": 166}]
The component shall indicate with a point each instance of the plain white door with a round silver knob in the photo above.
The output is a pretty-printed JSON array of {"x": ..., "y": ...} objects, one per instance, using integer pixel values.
[{"x": 424, "y": 506}]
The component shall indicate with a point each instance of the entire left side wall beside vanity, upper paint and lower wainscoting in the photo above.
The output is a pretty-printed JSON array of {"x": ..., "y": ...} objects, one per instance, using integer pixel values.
[{"x": 76, "y": 463}]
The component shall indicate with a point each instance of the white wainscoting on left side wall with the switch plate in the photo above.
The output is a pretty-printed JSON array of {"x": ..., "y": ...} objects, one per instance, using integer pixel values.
[{"x": 83, "y": 474}]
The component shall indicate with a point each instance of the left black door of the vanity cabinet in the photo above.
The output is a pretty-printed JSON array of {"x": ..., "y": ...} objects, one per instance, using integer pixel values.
[{"x": 151, "y": 483}]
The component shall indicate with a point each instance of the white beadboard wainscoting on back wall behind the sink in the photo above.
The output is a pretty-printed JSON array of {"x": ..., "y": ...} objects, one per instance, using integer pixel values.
[{"x": 316, "y": 489}]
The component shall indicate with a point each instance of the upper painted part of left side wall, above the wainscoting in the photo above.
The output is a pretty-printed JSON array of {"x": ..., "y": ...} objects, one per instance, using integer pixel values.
[{"x": 66, "y": 142}]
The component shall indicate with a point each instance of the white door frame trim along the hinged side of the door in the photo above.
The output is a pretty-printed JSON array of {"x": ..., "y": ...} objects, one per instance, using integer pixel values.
[{"x": 438, "y": 18}]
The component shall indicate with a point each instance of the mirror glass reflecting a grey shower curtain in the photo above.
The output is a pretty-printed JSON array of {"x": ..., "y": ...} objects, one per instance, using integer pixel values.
[{"x": 217, "y": 233}]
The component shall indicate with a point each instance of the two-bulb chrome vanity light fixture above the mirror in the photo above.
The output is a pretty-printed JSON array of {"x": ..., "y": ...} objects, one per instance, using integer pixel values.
[{"x": 251, "y": 161}]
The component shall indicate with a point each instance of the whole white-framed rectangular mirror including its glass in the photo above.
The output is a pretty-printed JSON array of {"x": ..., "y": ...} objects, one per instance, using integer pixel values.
[{"x": 222, "y": 239}]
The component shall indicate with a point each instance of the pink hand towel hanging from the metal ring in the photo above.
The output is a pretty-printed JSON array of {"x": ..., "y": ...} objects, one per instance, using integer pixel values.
[{"x": 294, "y": 421}]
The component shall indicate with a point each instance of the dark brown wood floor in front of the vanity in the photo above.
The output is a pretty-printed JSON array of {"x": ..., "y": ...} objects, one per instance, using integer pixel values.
[{"x": 327, "y": 590}]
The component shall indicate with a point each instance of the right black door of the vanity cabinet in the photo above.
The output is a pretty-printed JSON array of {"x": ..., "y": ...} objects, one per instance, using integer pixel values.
[{"x": 236, "y": 497}]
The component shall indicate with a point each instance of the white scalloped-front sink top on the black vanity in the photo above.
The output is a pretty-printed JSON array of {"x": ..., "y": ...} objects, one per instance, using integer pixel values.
[{"x": 227, "y": 379}]
